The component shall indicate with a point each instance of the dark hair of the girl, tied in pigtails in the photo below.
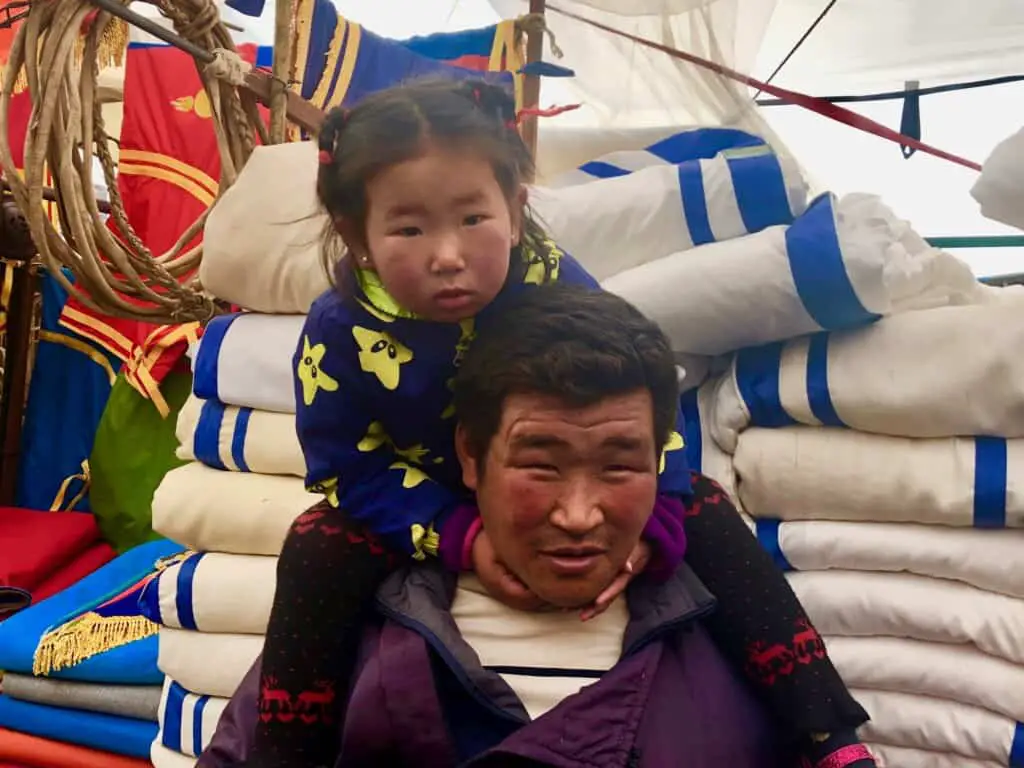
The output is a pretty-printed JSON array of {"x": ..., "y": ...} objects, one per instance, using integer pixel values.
[{"x": 394, "y": 126}]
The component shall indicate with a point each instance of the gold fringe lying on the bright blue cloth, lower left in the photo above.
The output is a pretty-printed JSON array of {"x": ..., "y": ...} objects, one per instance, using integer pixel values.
[{"x": 83, "y": 638}]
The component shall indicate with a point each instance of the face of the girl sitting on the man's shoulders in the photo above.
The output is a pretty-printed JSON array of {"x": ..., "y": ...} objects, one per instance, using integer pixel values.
[{"x": 439, "y": 234}]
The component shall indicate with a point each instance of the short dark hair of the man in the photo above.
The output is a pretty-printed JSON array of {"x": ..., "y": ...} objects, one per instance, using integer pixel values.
[{"x": 575, "y": 344}]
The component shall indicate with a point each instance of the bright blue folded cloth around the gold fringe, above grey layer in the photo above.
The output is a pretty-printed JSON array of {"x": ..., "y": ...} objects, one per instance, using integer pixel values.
[{"x": 134, "y": 663}]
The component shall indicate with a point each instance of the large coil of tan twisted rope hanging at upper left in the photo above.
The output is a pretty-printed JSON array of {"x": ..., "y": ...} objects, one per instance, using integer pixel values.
[{"x": 117, "y": 279}]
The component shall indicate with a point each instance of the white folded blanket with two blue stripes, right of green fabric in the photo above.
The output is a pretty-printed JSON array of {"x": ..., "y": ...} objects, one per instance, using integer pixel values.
[{"x": 239, "y": 439}]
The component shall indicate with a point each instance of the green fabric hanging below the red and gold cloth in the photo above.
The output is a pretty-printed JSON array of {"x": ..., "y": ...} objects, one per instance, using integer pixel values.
[{"x": 134, "y": 450}]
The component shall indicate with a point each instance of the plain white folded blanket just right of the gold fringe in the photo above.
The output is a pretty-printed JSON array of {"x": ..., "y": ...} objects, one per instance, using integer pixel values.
[{"x": 206, "y": 664}]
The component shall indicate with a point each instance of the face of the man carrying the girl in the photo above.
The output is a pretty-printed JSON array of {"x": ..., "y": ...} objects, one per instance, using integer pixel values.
[{"x": 566, "y": 493}]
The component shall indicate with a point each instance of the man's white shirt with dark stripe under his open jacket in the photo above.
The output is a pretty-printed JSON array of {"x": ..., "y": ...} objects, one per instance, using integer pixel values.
[{"x": 544, "y": 657}]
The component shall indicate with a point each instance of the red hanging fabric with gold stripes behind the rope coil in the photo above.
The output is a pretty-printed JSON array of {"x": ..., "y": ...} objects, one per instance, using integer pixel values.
[{"x": 169, "y": 168}]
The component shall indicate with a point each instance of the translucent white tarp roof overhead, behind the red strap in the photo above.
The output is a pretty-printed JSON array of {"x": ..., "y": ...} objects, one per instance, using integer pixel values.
[{"x": 633, "y": 96}]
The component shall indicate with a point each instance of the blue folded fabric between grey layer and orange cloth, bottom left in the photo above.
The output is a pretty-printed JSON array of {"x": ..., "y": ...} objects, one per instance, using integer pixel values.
[{"x": 109, "y": 733}]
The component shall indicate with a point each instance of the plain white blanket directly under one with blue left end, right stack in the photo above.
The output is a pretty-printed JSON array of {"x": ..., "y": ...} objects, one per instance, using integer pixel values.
[{"x": 859, "y": 605}]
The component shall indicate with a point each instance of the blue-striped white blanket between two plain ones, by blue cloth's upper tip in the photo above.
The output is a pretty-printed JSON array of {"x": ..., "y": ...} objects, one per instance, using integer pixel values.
[{"x": 215, "y": 592}]
